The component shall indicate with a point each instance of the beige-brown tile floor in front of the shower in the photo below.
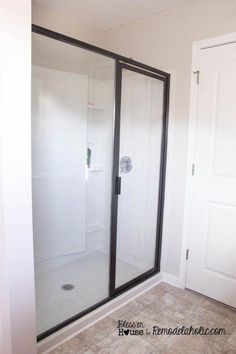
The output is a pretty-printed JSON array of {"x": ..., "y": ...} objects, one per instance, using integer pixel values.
[{"x": 165, "y": 306}]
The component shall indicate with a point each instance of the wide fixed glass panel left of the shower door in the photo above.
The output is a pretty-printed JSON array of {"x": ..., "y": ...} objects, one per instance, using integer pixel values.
[{"x": 72, "y": 144}]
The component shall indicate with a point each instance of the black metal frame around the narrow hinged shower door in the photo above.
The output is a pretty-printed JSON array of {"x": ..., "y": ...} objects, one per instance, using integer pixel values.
[{"x": 163, "y": 152}]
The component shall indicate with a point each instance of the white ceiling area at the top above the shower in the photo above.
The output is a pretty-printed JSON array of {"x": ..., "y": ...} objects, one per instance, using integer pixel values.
[{"x": 106, "y": 14}]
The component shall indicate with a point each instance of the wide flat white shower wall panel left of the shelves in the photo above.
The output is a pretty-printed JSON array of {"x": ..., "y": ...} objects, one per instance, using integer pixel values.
[{"x": 59, "y": 127}]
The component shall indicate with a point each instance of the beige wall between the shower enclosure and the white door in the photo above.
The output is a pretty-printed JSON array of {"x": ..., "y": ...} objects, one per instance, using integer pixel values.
[{"x": 165, "y": 40}]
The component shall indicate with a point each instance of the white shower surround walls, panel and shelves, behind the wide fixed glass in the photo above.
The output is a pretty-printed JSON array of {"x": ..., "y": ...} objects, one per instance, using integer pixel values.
[{"x": 71, "y": 202}]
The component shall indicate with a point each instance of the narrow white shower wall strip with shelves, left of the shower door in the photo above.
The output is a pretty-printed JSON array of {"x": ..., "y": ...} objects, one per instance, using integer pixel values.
[{"x": 100, "y": 140}]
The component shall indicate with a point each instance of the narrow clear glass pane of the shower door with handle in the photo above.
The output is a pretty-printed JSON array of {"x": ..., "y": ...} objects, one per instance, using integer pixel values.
[{"x": 140, "y": 147}]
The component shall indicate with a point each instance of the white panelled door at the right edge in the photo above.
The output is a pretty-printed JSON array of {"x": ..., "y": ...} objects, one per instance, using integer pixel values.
[{"x": 212, "y": 250}]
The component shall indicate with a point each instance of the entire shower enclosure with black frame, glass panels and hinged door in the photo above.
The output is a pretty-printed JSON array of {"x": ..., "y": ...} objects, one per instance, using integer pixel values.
[{"x": 99, "y": 134}]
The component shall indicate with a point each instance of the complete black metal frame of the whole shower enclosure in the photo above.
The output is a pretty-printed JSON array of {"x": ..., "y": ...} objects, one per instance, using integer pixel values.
[{"x": 129, "y": 64}]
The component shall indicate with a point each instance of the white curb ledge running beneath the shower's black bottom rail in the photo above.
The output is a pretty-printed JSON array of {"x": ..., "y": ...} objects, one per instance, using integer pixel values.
[{"x": 61, "y": 336}]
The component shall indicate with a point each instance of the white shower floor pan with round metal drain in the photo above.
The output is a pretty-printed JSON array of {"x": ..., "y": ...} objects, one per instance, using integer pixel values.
[{"x": 88, "y": 276}]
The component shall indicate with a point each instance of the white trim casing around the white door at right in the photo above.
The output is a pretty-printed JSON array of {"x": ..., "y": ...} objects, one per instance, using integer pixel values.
[{"x": 192, "y": 129}]
